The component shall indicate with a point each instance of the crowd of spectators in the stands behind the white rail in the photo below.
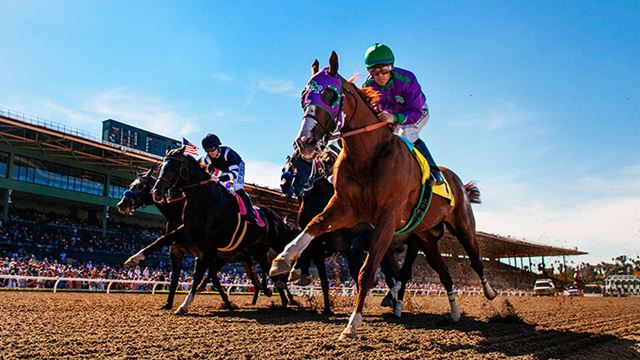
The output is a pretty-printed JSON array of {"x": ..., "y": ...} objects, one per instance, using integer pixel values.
[{"x": 43, "y": 242}]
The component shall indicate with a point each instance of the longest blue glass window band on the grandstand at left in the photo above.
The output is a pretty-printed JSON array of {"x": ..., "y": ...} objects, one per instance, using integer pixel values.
[{"x": 59, "y": 176}]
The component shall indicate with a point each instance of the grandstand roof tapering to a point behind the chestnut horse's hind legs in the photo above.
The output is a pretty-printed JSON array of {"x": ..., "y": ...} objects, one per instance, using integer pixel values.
[{"x": 497, "y": 246}]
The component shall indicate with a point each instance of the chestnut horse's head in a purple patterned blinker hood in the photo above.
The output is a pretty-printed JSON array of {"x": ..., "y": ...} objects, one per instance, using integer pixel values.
[{"x": 322, "y": 105}]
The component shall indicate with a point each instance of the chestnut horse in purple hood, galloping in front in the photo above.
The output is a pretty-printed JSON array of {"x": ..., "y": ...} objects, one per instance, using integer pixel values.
[{"x": 377, "y": 181}]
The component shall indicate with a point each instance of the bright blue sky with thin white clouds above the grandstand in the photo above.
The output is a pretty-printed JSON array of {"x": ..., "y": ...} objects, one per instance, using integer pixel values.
[{"x": 537, "y": 101}]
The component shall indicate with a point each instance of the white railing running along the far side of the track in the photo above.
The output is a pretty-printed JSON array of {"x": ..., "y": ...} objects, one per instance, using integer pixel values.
[{"x": 295, "y": 289}]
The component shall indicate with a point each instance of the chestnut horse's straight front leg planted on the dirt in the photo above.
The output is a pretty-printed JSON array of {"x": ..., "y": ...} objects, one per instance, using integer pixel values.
[{"x": 380, "y": 243}]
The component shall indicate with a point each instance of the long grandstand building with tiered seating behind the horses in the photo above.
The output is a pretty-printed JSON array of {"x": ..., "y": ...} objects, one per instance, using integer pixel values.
[{"x": 60, "y": 182}]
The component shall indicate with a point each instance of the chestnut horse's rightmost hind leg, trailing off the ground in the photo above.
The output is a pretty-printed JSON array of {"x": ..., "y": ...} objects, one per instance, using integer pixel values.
[{"x": 466, "y": 234}]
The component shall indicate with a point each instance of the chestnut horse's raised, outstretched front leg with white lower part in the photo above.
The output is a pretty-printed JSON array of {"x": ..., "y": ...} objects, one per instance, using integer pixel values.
[{"x": 336, "y": 215}]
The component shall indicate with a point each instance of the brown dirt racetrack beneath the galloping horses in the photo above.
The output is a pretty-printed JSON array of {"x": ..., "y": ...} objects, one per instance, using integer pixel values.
[{"x": 77, "y": 325}]
